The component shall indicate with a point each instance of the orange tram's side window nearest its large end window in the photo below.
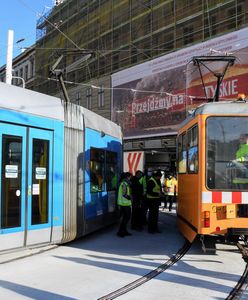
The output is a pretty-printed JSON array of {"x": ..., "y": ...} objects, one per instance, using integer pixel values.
[{"x": 192, "y": 159}]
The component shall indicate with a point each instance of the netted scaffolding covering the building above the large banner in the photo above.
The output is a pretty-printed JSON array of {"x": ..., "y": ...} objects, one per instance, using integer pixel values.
[{"x": 126, "y": 32}]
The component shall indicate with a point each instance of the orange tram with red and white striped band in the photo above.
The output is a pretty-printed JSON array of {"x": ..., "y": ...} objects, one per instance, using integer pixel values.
[{"x": 213, "y": 171}]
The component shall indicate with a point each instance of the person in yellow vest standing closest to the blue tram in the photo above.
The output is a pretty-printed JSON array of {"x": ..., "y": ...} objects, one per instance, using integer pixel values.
[{"x": 124, "y": 201}]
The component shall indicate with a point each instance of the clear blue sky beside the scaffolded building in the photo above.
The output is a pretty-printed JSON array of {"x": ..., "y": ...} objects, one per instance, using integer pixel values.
[{"x": 21, "y": 17}]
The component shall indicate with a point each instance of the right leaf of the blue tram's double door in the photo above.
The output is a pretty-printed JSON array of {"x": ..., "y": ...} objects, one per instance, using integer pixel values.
[{"x": 39, "y": 186}]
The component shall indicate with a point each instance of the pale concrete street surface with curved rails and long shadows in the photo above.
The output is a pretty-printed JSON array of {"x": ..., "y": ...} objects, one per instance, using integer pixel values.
[{"x": 141, "y": 266}]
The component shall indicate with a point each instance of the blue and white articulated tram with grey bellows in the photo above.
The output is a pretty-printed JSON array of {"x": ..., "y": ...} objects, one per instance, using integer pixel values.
[{"x": 59, "y": 169}]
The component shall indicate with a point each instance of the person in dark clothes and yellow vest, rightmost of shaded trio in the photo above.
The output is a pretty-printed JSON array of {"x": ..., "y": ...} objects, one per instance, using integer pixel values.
[{"x": 154, "y": 193}]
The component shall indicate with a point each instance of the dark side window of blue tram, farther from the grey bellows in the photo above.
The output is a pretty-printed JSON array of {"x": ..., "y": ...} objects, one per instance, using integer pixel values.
[{"x": 111, "y": 171}]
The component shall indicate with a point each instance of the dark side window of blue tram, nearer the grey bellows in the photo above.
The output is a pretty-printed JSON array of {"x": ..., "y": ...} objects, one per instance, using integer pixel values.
[{"x": 97, "y": 157}]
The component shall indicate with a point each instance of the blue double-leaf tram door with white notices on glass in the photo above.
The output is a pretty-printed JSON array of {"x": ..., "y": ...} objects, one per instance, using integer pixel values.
[{"x": 26, "y": 191}]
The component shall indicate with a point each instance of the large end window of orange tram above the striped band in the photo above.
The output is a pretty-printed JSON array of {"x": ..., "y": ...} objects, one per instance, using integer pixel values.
[{"x": 227, "y": 153}]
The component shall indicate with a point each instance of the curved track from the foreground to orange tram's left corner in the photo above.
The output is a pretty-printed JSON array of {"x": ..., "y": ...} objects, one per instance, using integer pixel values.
[{"x": 136, "y": 283}]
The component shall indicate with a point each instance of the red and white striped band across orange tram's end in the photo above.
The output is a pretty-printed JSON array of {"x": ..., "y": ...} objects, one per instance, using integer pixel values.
[{"x": 225, "y": 197}]
